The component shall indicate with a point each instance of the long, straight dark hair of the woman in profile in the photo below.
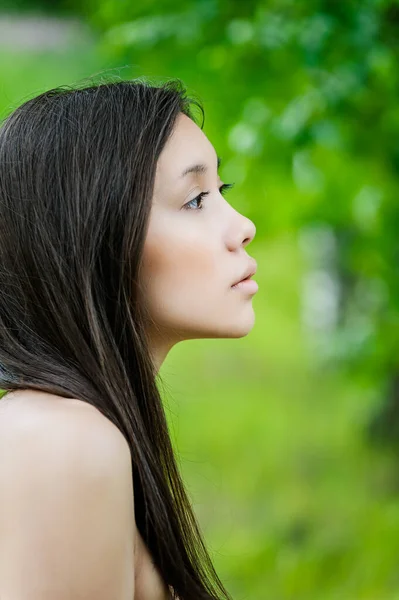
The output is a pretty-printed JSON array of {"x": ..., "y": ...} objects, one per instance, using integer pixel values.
[{"x": 77, "y": 170}]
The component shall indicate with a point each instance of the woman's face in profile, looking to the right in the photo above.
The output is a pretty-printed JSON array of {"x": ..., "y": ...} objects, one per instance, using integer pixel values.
[{"x": 194, "y": 250}]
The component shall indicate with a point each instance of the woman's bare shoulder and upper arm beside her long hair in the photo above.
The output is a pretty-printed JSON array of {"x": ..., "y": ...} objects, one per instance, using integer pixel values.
[{"x": 66, "y": 503}]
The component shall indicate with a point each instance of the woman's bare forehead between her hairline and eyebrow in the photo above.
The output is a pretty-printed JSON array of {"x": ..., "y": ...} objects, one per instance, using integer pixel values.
[{"x": 187, "y": 145}]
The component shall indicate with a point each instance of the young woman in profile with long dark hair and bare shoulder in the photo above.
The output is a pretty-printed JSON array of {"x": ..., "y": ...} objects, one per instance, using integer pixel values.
[{"x": 116, "y": 243}]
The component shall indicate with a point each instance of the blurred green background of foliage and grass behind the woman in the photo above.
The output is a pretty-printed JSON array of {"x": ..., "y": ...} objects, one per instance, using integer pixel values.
[{"x": 287, "y": 438}]
